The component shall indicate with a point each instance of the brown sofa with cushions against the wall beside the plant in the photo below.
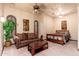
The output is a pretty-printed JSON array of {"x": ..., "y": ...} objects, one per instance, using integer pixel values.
[{"x": 24, "y": 39}]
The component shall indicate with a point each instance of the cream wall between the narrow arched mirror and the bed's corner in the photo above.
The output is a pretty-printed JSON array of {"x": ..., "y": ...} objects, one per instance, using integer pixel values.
[{"x": 46, "y": 25}]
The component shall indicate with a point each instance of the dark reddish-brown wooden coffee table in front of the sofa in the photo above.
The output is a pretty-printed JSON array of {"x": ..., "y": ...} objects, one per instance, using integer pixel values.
[{"x": 37, "y": 46}]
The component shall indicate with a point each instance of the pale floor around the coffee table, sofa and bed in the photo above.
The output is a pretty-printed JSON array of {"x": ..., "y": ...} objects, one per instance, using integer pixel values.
[{"x": 69, "y": 49}]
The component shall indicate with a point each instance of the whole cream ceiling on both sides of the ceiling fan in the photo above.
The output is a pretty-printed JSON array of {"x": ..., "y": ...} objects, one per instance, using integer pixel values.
[{"x": 52, "y": 9}]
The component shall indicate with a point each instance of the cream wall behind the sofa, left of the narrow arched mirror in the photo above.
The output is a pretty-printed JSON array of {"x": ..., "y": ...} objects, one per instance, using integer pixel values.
[{"x": 20, "y": 15}]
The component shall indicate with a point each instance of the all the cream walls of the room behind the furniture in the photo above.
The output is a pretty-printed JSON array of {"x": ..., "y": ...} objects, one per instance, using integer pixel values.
[{"x": 47, "y": 24}]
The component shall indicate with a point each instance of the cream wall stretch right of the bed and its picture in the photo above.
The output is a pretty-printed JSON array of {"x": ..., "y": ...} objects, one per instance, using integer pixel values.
[{"x": 73, "y": 26}]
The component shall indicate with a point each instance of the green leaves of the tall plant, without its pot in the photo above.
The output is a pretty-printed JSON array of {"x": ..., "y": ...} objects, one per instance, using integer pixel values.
[{"x": 8, "y": 27}]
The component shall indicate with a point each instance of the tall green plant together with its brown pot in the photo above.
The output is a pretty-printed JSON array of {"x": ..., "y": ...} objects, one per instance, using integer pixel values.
[{"x": 8, "y": 27}]
